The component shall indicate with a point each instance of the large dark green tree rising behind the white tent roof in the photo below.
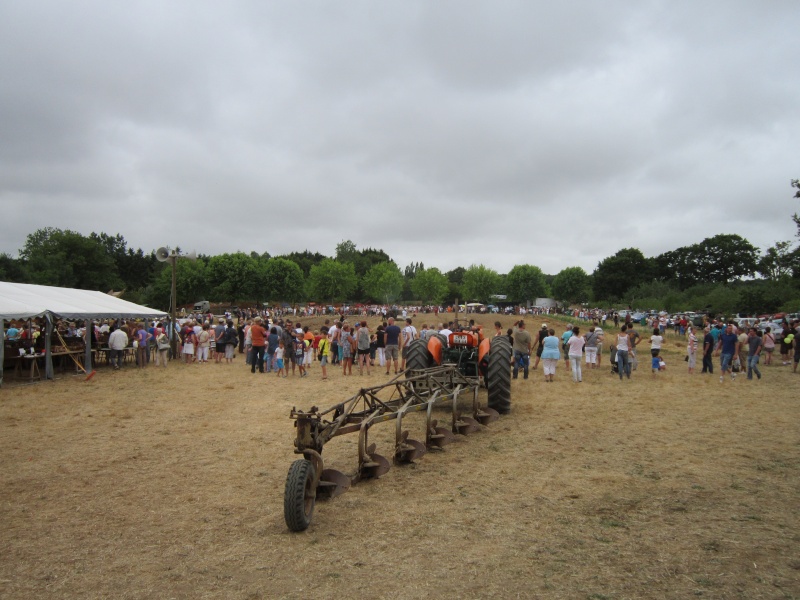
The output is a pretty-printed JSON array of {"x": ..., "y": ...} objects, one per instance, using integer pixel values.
[{"x": 68, "y": 259}]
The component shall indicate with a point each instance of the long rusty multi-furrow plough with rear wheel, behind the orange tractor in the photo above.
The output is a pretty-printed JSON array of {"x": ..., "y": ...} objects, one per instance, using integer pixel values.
[{"x": 416, "y": 391}]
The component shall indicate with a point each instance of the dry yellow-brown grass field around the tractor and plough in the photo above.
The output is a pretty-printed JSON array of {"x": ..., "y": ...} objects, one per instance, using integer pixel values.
[{"x": 168, "y": 483}]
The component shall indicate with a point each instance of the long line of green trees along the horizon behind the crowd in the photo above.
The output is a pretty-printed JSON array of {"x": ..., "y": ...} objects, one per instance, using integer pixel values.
[{"x": 723, "y": 273}]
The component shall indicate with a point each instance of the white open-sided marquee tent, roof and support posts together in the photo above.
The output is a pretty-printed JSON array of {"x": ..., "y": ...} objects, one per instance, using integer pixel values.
[{"x": 26, "y": 301}]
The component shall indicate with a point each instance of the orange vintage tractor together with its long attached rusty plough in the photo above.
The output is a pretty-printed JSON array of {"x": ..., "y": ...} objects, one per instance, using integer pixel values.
[{"x": 437, "y": 374}]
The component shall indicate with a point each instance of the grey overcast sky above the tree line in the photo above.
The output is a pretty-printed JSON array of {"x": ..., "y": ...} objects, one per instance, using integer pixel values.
[{"x": 447, "y": 132}]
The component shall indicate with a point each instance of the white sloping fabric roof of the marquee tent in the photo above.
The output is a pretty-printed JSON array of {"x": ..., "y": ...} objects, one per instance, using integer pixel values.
[{"x": 25, "y": 301}]
